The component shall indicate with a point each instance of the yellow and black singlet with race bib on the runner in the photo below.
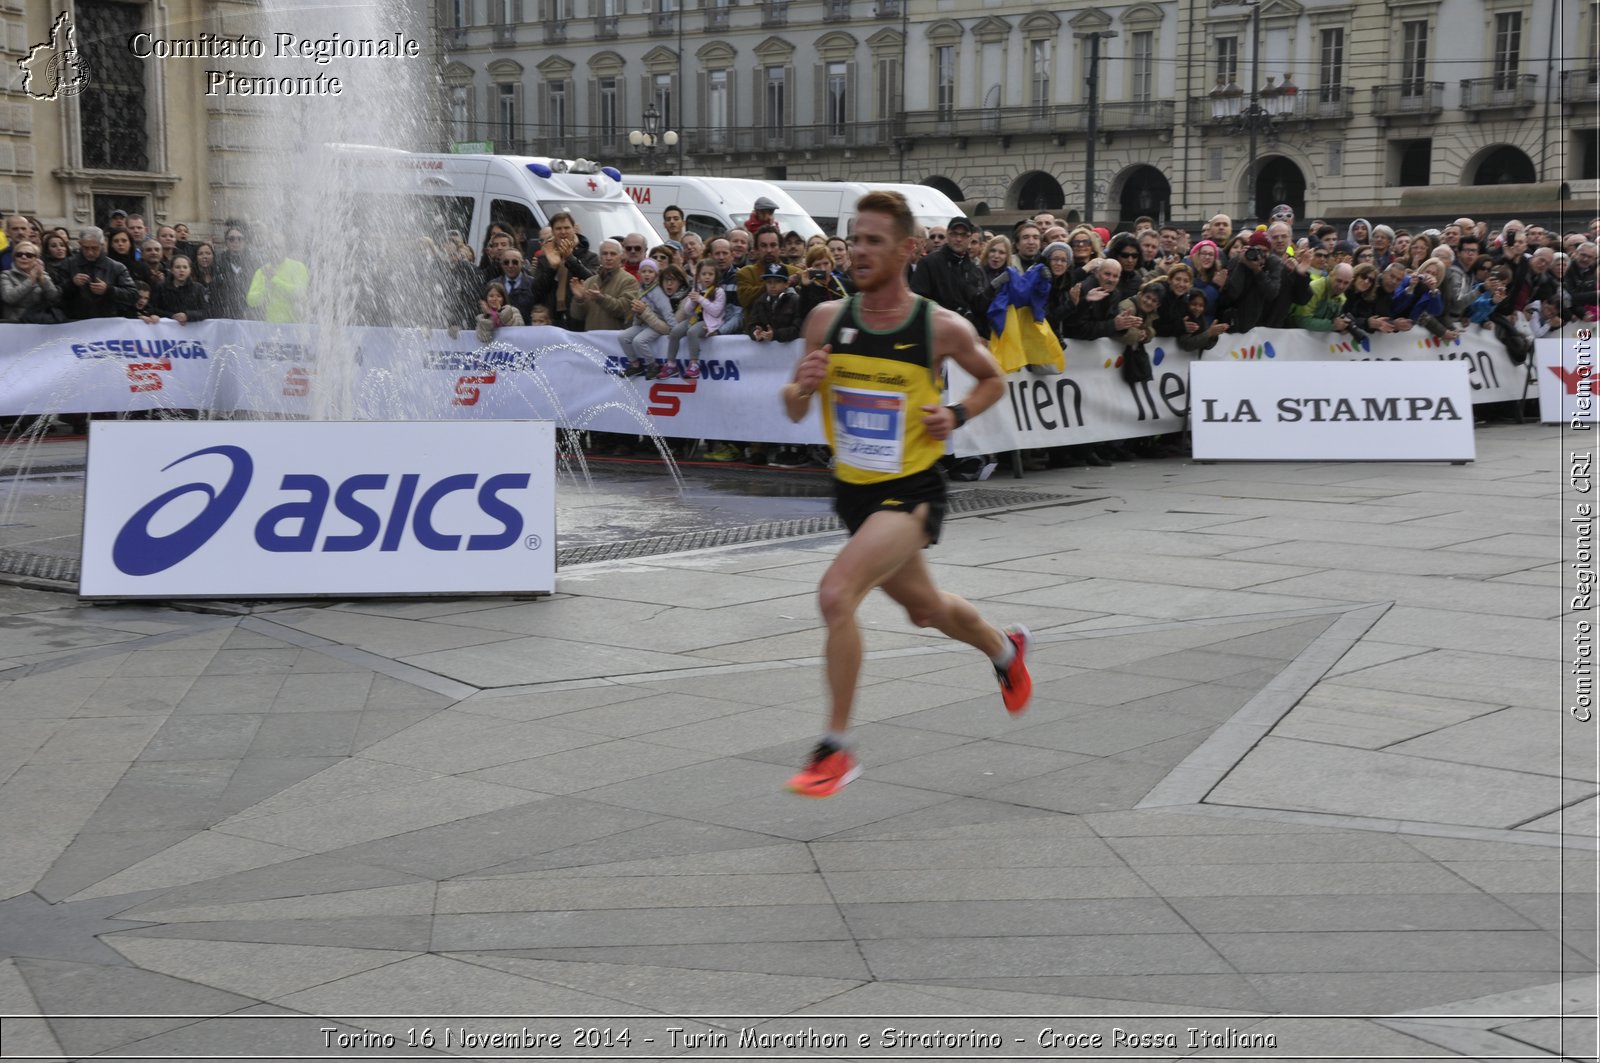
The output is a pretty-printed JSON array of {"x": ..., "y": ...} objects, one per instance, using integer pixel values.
[{"x": 873, "y": 398}]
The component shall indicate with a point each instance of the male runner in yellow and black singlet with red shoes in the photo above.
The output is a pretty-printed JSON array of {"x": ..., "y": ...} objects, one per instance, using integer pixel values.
[{"x": 876, "y": 361}]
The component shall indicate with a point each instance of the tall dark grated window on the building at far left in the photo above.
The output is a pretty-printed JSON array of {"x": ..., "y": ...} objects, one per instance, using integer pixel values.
[{"x": 113, "y": 103}]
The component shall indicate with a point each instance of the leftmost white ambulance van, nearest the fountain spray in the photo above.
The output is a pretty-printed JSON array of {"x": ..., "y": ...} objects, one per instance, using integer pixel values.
[{"x": 441, "y": 195}]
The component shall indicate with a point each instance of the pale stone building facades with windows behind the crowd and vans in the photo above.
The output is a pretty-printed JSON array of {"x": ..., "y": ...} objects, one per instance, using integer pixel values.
[{"x": 1361, "y": 106}]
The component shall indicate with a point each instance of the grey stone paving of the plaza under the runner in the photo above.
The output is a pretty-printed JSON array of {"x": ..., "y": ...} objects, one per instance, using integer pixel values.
[{"x": 1297, "y": 752}]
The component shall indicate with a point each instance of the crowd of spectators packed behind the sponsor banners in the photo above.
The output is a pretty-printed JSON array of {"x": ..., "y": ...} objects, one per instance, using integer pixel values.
[{"x": 1137, "y": 287}]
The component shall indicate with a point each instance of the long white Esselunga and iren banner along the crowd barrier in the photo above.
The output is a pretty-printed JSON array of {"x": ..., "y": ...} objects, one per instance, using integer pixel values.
[{"x": 577, "y": 380}]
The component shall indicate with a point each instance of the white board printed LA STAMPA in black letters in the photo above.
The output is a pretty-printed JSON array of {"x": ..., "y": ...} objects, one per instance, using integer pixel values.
[{"x": 1332, "y": 412}]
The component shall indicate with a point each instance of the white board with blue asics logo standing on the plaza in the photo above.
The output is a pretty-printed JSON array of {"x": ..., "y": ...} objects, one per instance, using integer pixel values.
[{"x": 318, "y": 508}]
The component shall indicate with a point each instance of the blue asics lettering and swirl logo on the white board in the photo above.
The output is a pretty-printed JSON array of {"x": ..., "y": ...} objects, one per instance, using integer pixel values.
[{"x": 386, "y": 511}]
